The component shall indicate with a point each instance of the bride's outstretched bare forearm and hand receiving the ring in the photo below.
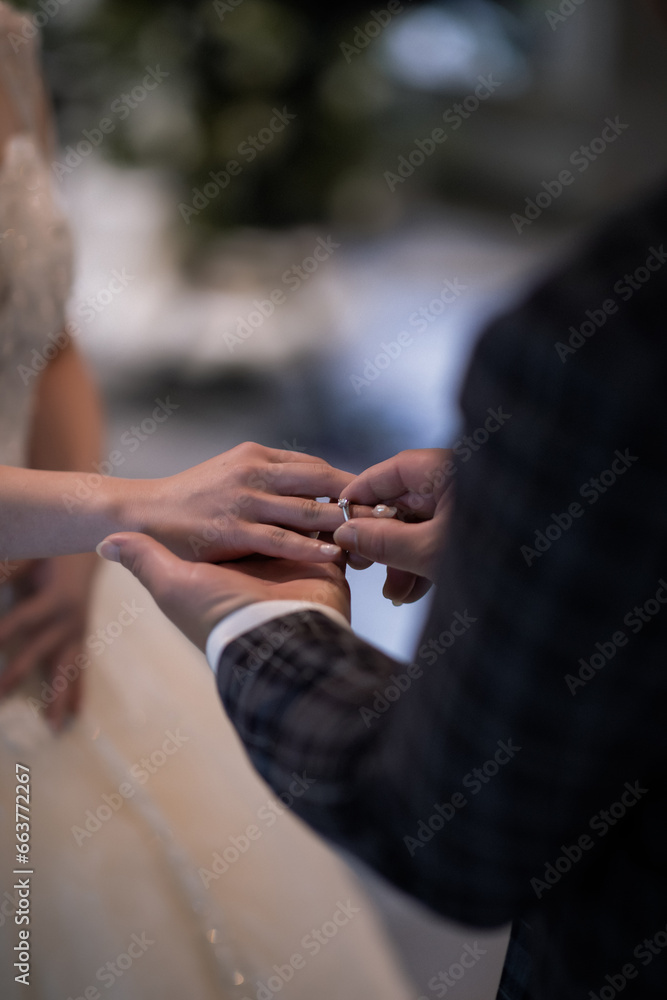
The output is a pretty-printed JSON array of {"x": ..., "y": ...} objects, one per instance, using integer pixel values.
[{"x": 249, "y": 499}]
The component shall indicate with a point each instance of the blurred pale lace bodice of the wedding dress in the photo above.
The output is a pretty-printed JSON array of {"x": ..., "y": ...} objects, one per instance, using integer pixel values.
[{"x": 35, "y": 243}]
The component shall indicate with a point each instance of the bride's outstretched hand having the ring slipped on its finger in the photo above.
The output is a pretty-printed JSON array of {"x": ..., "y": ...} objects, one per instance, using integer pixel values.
[{"x": 248, "y": 500}]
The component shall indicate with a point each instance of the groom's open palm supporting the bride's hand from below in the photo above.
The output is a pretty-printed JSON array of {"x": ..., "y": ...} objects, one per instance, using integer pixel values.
[{"x": 196, "y": 596}]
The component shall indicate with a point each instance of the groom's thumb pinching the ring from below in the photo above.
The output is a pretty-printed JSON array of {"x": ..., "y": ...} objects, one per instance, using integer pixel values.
[{"x": 392, "y": 543}]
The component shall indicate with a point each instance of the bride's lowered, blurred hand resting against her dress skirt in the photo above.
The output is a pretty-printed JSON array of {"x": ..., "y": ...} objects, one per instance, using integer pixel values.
[{"x": 44, "y": 631}]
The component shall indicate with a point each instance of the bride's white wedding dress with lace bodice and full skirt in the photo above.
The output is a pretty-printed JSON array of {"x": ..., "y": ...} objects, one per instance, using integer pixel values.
[{"x": 192, "y": 883}]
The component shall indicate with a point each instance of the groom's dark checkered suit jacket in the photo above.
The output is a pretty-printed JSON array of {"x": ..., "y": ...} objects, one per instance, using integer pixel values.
[{"x": 517, "y": 768}]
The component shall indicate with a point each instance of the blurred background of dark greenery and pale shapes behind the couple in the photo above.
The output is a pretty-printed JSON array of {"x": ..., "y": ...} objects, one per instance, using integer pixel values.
[{"x": 293, "y": 220}]
